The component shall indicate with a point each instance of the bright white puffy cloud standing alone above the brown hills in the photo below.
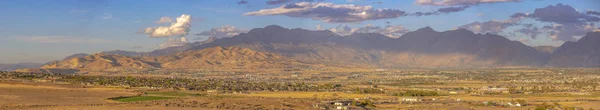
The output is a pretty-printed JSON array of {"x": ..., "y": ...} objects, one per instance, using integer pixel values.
[{"x": 180, "y": 27}]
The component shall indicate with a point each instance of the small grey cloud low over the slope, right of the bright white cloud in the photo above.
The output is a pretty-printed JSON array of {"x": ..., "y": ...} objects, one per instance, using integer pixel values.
[{"x": 222, "y": 32}]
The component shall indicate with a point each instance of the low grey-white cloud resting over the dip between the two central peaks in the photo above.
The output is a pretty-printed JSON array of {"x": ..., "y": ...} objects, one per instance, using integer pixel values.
[{"x": 392, "y": 31}]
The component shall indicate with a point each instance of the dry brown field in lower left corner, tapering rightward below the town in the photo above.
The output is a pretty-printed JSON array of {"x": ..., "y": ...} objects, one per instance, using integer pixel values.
[{"x": 15, "y": 95}]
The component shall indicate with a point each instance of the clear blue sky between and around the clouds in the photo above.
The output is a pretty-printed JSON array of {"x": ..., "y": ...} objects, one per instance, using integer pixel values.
[{"x": 45, "y": 30}]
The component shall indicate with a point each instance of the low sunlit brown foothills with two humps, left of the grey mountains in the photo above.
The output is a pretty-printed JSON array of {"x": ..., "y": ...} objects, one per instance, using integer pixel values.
[{"x": 209, "y": 58}]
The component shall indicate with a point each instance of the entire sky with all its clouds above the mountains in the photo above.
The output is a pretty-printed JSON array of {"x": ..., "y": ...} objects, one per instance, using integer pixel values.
[{"x": 45, "y": 30}]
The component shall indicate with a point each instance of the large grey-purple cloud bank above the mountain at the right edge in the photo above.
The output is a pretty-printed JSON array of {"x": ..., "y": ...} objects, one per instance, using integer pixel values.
[{"x": 567, "y": 24}]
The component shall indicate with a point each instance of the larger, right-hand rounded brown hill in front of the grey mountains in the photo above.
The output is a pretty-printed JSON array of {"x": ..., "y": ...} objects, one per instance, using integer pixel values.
[{"x": 226, "y": 58}]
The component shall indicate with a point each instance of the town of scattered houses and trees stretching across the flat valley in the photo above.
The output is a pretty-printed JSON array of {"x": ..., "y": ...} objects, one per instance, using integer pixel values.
[{"x": 375, "y": 89}]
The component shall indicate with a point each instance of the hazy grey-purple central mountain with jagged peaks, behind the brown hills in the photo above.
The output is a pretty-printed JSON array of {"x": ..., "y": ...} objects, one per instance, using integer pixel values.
[{"x": 422, "y": 48}]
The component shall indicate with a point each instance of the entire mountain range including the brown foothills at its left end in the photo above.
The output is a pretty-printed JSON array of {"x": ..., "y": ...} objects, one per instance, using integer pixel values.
[{"x": 277, "y": 47}]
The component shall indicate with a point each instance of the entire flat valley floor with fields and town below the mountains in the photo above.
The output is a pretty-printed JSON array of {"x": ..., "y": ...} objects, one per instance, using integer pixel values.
[{"x": 434, "y": 90}]
